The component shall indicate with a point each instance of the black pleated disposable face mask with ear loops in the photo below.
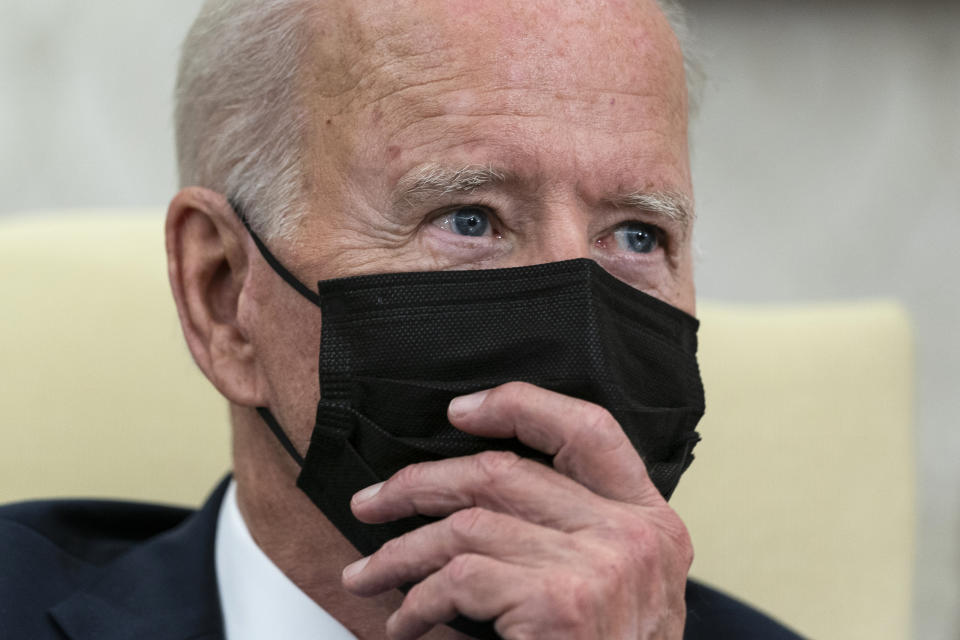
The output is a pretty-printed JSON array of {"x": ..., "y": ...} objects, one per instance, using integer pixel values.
[{"x": 396, "y": 348}]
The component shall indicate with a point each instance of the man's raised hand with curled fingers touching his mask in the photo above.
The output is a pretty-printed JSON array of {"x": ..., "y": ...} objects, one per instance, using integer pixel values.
[{"x": 586, "y": 549}]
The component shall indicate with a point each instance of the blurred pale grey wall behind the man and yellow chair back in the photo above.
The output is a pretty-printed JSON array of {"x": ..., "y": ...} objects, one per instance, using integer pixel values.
[{"x": 826, "y": 160}]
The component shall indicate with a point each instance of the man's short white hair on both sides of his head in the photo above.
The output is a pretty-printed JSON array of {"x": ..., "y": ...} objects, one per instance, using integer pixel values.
[{"x": 242, "y": 121}]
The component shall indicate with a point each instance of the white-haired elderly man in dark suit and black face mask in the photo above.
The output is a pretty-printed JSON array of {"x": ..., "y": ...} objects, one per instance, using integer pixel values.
[{"x": 485, "y": 175}]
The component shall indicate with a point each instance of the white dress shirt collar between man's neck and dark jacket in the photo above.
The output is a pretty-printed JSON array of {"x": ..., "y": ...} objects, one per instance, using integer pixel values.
[{"x": 257, "y": 599}]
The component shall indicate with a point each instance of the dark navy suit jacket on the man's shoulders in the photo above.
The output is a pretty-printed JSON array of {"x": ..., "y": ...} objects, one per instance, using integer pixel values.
[{"x": 102, "y": 570}]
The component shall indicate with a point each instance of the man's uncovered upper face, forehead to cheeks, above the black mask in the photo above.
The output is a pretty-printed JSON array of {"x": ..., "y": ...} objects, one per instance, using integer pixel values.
[{"x": 471, "y": 135}]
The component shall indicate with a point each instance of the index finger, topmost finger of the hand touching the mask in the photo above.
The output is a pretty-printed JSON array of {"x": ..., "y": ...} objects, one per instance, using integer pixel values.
[{"x": 587, "y": 443}]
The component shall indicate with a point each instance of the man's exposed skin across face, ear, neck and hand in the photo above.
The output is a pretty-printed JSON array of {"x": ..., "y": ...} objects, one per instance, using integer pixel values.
[{"x": 575, "y": 106}]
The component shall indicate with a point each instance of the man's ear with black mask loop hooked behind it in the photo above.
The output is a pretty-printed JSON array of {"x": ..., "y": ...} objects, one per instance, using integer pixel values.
[{"x": 208, "y": 264}]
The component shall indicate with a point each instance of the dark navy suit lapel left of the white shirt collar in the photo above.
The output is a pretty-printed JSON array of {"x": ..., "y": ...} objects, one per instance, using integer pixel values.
[{"x": 164, "y": 589}]
